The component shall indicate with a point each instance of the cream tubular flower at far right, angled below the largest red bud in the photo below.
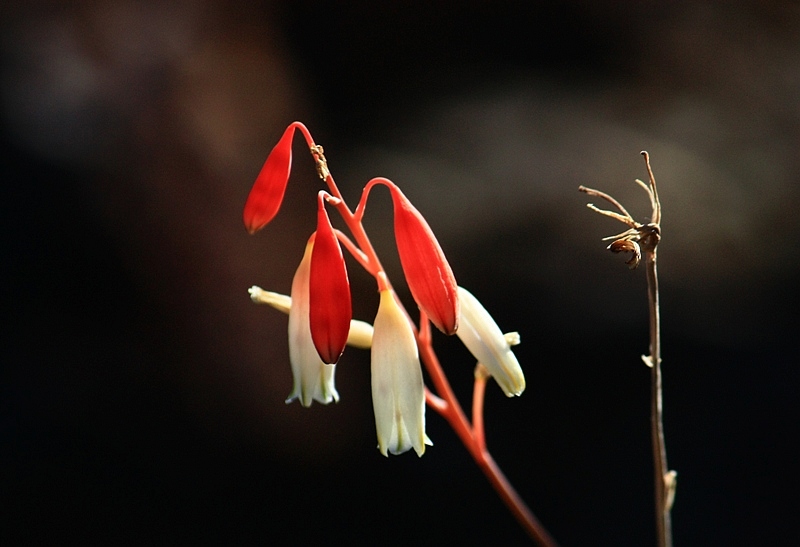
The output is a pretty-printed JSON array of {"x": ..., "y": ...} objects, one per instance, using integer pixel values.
[{"x": 483, "y": 338}]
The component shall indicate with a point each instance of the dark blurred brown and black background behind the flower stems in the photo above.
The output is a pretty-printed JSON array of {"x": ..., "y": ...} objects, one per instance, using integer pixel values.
[{"x": 142, "y": 393}]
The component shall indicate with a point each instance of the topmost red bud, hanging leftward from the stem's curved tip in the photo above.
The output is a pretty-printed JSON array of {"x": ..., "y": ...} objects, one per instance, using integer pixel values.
[{"x": 267, "y": 193}]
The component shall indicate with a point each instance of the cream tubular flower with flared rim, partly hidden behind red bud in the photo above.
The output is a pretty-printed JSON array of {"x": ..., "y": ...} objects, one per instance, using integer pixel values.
[{"x": 313, "y": 379}]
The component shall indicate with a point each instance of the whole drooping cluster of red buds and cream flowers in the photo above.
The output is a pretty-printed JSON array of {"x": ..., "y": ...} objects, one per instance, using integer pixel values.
[{"x": 320, "y": 308}]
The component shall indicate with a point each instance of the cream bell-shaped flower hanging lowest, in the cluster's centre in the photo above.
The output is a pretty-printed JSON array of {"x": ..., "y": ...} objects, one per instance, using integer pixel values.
[{"x": 398, "y": 394}]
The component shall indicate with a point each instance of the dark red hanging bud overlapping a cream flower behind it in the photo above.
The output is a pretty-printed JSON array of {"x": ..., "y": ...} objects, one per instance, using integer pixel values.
[{"x": 331, "y": 309}]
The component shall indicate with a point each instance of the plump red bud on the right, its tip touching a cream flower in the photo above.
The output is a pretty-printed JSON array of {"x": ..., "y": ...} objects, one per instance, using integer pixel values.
[{"x": 427, "y": 271}]
